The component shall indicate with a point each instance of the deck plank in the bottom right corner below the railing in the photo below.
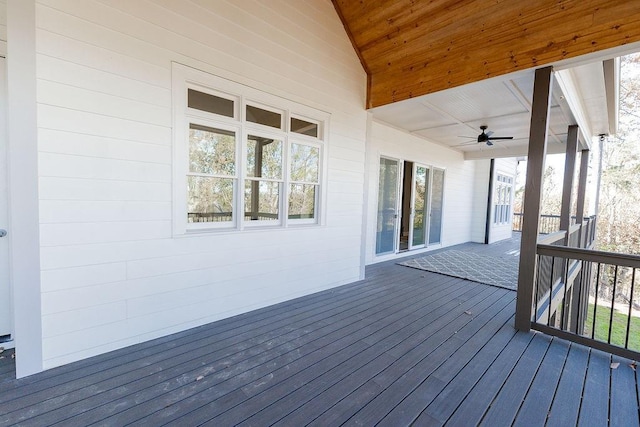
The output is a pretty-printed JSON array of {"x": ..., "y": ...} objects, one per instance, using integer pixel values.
[{"x": 624, "y": 405}]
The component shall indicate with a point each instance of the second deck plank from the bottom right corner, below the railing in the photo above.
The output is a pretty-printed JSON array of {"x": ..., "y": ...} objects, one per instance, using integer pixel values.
[{"x": 595, "y": 399}]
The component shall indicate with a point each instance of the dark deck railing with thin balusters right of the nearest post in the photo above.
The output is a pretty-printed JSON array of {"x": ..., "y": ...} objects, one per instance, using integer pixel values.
[{"x": 587, "y": 296}]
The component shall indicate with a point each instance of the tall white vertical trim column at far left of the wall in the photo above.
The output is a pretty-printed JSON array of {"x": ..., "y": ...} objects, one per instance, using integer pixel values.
[{"x": 22, "y": 157}]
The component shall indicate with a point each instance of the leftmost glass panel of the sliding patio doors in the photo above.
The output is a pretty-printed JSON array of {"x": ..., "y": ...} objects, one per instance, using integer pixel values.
[{"x": 387, "y": 218}]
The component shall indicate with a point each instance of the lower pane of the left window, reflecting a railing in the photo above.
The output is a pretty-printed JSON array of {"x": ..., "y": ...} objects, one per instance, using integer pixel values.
[{"x": 210, "y": 199}]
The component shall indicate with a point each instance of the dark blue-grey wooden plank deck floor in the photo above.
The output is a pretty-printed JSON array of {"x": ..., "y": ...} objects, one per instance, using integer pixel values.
[{"x": 402, "y": 347}]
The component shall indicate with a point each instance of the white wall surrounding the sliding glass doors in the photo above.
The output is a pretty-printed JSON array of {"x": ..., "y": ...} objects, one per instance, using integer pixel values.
[{"x": 459, "y": 212}]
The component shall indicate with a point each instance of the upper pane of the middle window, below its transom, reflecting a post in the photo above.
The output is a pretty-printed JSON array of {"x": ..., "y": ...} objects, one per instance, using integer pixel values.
[{"x": 264, "y": 157}]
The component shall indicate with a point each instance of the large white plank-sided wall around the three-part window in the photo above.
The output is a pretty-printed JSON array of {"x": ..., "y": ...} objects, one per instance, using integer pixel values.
[{"x": 112, "y": 275}]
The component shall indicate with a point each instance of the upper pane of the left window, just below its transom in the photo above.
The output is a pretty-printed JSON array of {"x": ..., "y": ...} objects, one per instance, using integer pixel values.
[{"x": 212, "y": 151}]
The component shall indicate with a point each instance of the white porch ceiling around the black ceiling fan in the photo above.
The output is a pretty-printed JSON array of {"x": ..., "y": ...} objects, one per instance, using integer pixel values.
[{"x": 453, "y": 117}]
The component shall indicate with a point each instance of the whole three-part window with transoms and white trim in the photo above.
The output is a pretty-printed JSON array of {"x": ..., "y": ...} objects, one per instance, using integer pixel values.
[{"x": 243, "y": 158}]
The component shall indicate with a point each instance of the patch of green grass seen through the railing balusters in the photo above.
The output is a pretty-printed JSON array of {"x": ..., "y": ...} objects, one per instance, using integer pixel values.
[{"x": 618, "y": 327}]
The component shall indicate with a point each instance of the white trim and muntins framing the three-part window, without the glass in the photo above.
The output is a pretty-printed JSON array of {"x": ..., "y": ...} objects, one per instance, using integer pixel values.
[{"x": 184, "y": 77}]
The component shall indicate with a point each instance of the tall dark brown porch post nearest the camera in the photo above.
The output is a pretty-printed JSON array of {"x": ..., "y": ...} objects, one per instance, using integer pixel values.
[{"x": 533, "y": 194}]
